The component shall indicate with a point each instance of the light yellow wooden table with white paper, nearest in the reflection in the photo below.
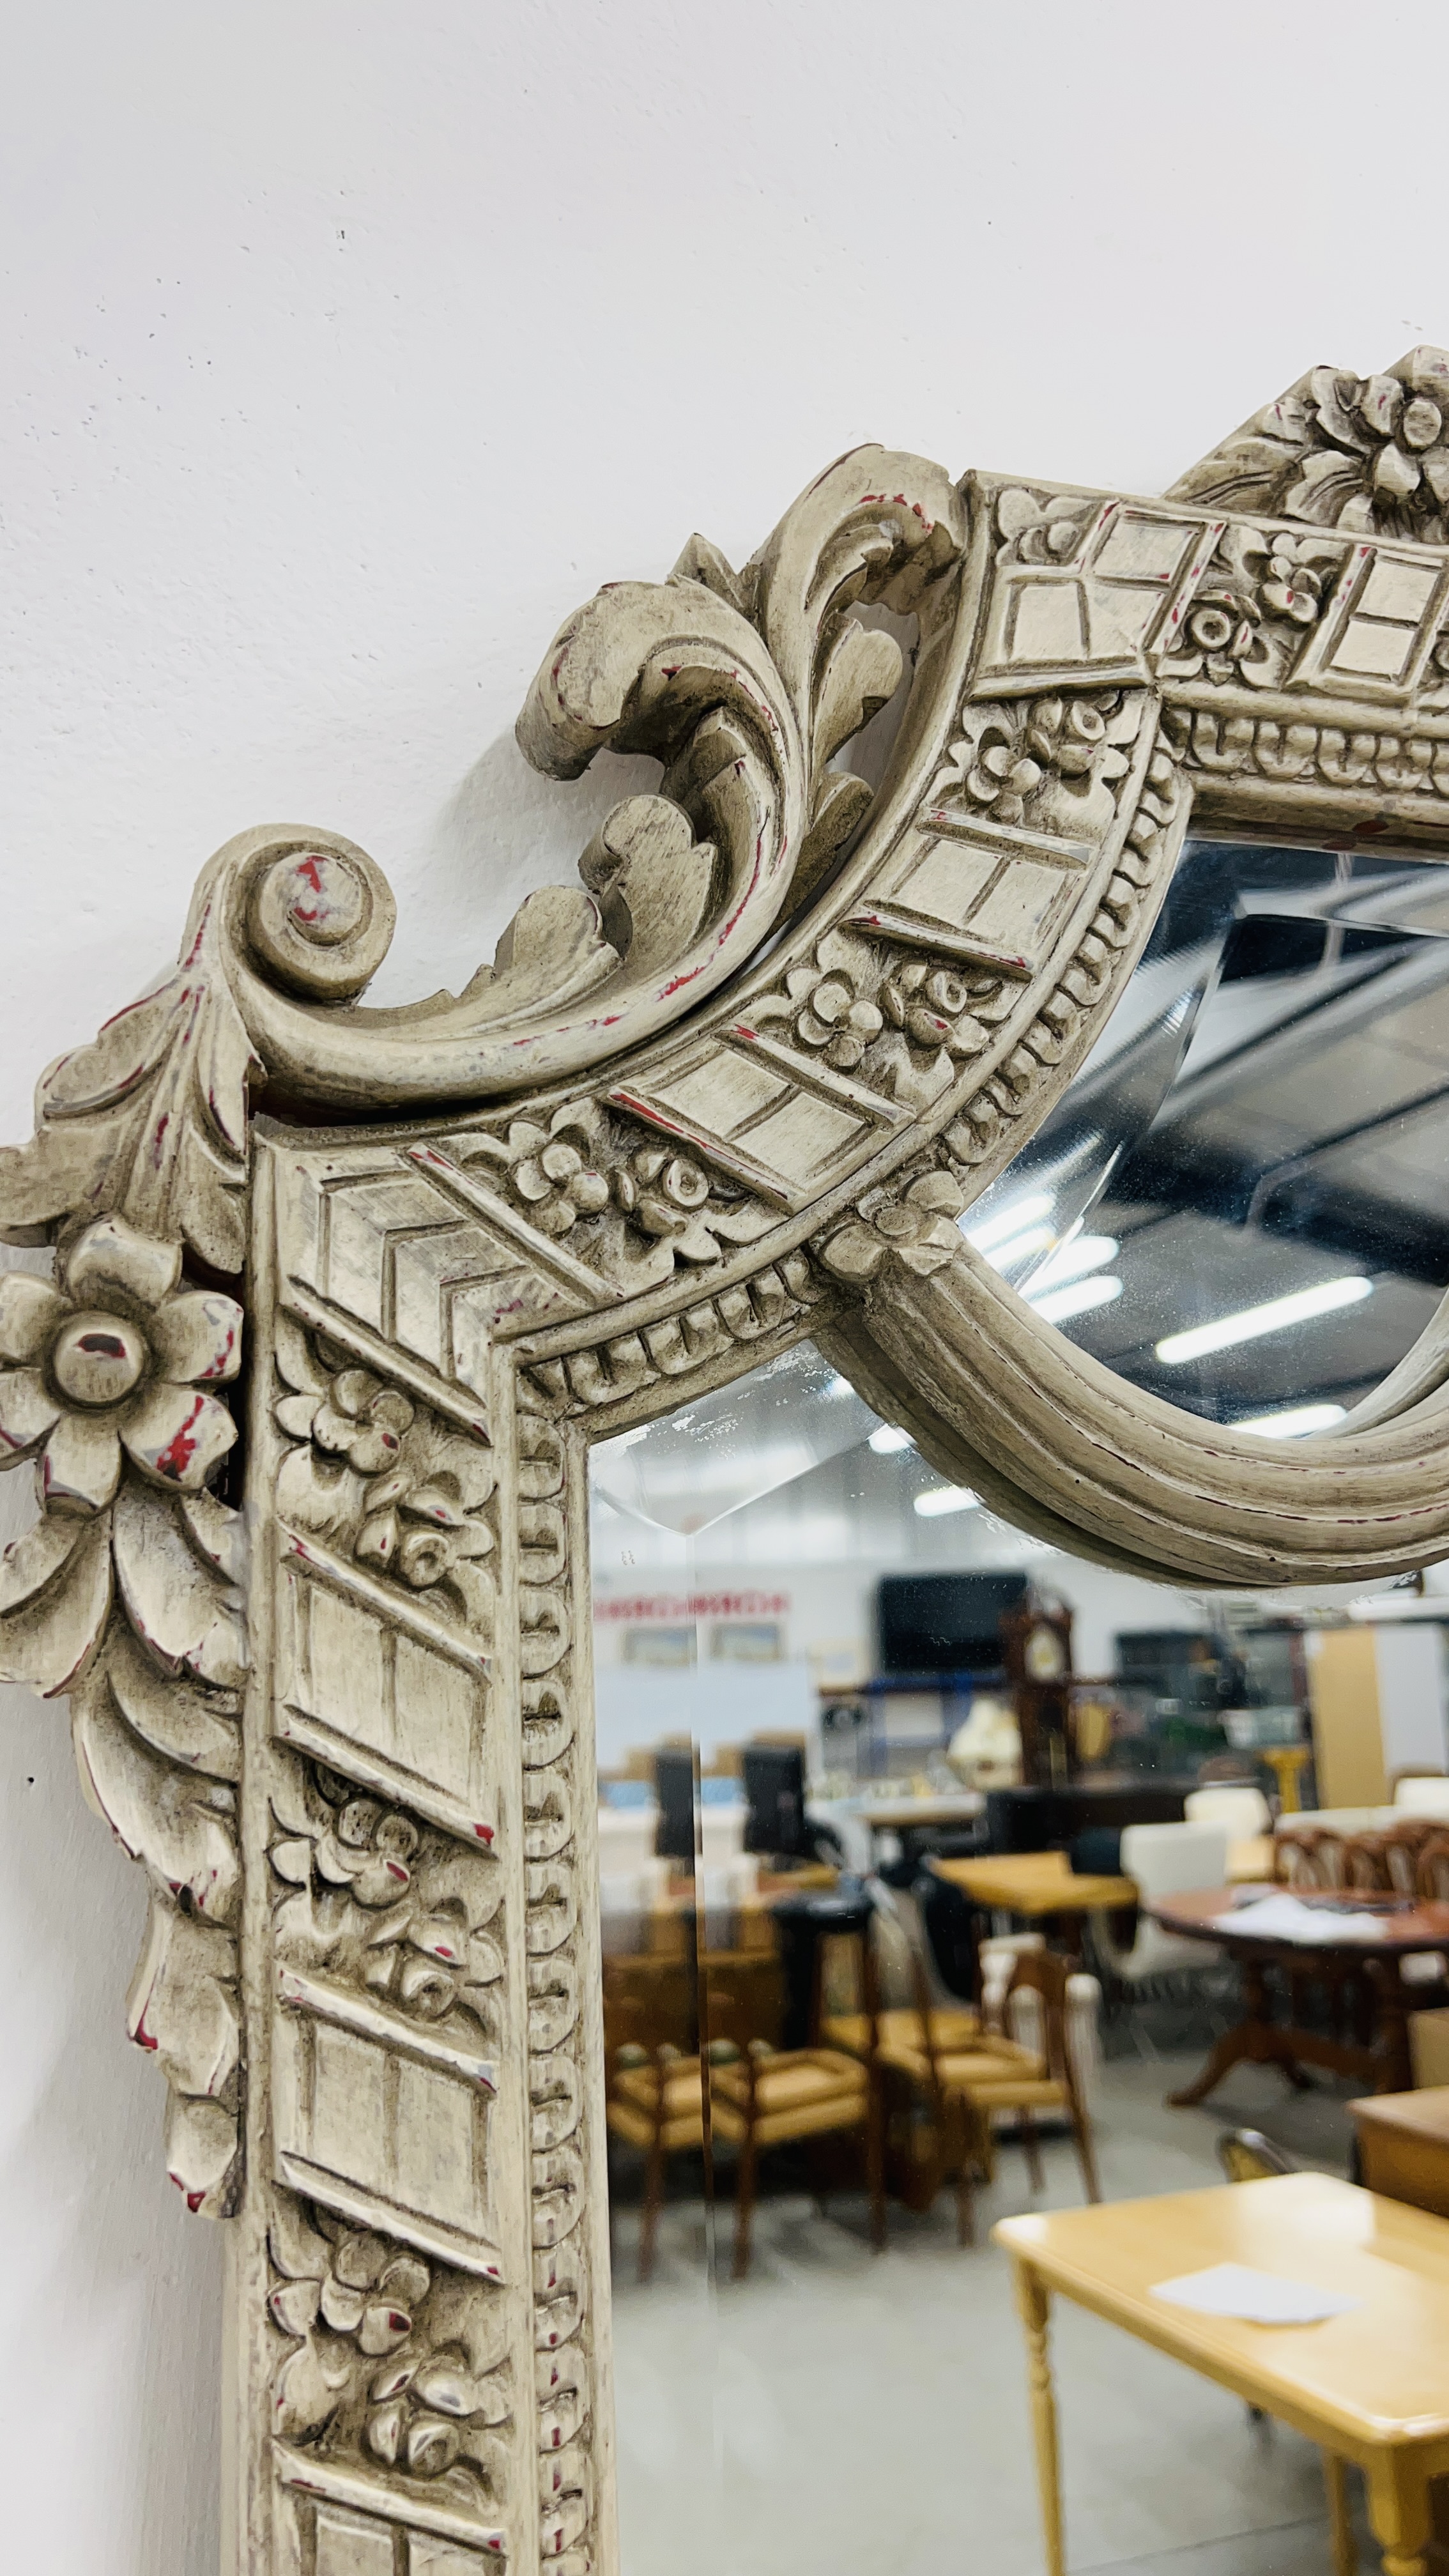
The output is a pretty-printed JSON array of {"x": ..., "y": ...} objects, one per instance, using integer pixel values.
[{"x": 1370, "y": 2387}]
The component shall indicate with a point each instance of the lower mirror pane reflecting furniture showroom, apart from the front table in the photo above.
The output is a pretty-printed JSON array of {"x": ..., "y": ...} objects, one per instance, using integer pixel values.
[{"x": 917, "y": 1848}]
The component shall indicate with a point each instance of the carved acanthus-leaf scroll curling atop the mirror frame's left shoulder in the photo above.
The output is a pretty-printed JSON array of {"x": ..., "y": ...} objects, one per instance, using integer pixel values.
[{"x": 746, "y": 687}]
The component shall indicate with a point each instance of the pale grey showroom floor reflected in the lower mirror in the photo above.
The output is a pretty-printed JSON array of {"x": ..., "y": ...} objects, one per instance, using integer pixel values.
[{"x": 868, "y": 2412}]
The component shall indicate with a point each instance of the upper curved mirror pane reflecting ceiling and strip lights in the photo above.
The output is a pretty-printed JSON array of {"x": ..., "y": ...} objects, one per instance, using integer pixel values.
[{"x": 1241, "y": 1199}]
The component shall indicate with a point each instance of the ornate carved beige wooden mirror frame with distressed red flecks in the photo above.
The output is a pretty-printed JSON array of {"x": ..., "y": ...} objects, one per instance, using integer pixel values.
[{"x": 731, "y": 1091}]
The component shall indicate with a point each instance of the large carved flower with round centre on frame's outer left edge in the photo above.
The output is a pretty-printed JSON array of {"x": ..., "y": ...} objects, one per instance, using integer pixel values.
[{"x": 115, "y": 1361}]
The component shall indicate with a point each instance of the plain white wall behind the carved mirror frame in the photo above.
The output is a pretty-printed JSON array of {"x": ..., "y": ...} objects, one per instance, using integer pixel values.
[{"x": 347, "y": 349}]
